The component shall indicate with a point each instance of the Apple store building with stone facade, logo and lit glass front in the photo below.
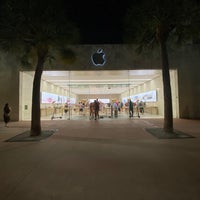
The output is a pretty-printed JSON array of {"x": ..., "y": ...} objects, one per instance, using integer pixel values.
[{"x": 112, "y": 74}]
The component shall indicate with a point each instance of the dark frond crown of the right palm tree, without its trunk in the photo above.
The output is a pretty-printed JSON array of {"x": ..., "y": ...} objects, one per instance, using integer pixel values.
[{"x": 180, "y": 17}]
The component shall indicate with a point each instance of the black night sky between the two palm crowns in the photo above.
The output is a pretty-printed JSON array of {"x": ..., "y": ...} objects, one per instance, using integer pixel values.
[{"x": 100, "y": 21}]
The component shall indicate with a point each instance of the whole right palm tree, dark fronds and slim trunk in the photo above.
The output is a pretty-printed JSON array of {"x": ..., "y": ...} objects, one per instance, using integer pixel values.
[{"x": 156, "y": 22}]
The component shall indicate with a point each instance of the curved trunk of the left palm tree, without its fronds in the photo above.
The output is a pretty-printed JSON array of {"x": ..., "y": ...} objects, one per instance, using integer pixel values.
[{"x": 36, "y": 121}]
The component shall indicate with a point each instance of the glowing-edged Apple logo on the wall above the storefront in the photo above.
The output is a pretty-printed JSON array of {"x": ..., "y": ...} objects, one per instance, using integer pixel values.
[{"x": 98, "y": 58}]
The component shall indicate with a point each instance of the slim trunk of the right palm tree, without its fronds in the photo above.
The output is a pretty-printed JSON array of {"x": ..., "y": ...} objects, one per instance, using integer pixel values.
[{"x": 168, "y": 113}]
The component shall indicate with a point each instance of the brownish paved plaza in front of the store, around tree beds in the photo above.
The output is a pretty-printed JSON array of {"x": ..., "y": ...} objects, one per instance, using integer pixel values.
[{"x": 109, "y": 159}]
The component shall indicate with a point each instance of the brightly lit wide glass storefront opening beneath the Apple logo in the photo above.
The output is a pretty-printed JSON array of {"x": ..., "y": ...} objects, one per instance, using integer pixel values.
[{"x": 66, "y": 95}]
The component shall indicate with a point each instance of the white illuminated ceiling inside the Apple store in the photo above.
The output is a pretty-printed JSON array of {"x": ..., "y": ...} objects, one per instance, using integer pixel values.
[{"x": 99, "y": 82}]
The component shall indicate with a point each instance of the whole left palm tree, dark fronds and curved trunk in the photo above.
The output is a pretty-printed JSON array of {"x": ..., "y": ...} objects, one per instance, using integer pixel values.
[{"x": 39, "y": 26}]
